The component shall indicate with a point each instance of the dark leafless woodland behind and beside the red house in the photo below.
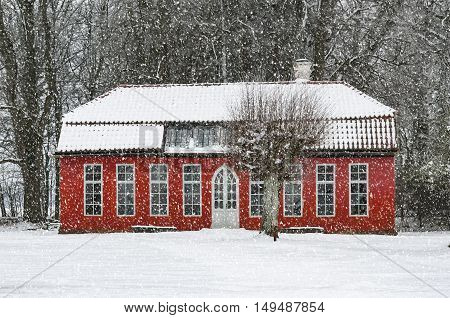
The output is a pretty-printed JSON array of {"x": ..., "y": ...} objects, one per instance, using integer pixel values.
[{"x": 57, "y": 54}]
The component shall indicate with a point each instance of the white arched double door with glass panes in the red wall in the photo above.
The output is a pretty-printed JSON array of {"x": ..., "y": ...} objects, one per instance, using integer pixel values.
[{"x": 225, "y": 213}]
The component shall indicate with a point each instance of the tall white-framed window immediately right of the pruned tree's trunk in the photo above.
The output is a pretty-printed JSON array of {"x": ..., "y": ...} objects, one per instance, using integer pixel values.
[{"x": 293, "y": 192}]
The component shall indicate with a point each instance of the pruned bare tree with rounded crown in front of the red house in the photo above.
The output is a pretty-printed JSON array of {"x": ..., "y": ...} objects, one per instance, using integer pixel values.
[{"x": 271, "y": 126}]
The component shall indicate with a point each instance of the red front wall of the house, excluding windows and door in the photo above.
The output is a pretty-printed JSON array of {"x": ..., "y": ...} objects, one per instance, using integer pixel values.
[{"x": 381, "y": 193}]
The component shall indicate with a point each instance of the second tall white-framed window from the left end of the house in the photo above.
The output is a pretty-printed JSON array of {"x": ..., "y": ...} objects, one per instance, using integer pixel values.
[{"x": 125, "y": 189}]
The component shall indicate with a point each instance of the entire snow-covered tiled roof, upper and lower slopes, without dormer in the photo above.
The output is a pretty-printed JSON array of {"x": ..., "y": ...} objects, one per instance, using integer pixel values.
[{"x": 131, "y": 117}]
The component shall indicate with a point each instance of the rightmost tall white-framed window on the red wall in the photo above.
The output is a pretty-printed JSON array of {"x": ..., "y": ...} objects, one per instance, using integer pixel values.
[{"x": 358, "y": 189}]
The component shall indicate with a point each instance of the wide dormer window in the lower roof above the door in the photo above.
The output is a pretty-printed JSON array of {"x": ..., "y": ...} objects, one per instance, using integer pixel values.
[{"x": 196, "y": 136}]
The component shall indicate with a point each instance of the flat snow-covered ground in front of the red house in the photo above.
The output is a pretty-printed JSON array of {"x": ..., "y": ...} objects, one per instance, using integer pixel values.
[{"x": 223, "y": 263}]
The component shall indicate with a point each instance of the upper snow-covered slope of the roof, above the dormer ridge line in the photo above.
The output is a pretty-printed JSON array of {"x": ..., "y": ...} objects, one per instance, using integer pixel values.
[{"x": 211, "y": 102}]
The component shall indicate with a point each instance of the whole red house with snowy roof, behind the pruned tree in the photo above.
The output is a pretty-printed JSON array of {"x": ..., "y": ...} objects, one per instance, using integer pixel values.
[{"x": 155, "y": 156}]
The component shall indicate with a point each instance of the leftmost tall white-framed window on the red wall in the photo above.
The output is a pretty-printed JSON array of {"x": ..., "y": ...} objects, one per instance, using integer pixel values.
[{"x": 93, "y": 189}]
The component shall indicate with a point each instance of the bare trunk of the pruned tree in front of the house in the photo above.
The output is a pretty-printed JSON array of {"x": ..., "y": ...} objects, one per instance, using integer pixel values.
[{"x": 271, "y": 205}]
